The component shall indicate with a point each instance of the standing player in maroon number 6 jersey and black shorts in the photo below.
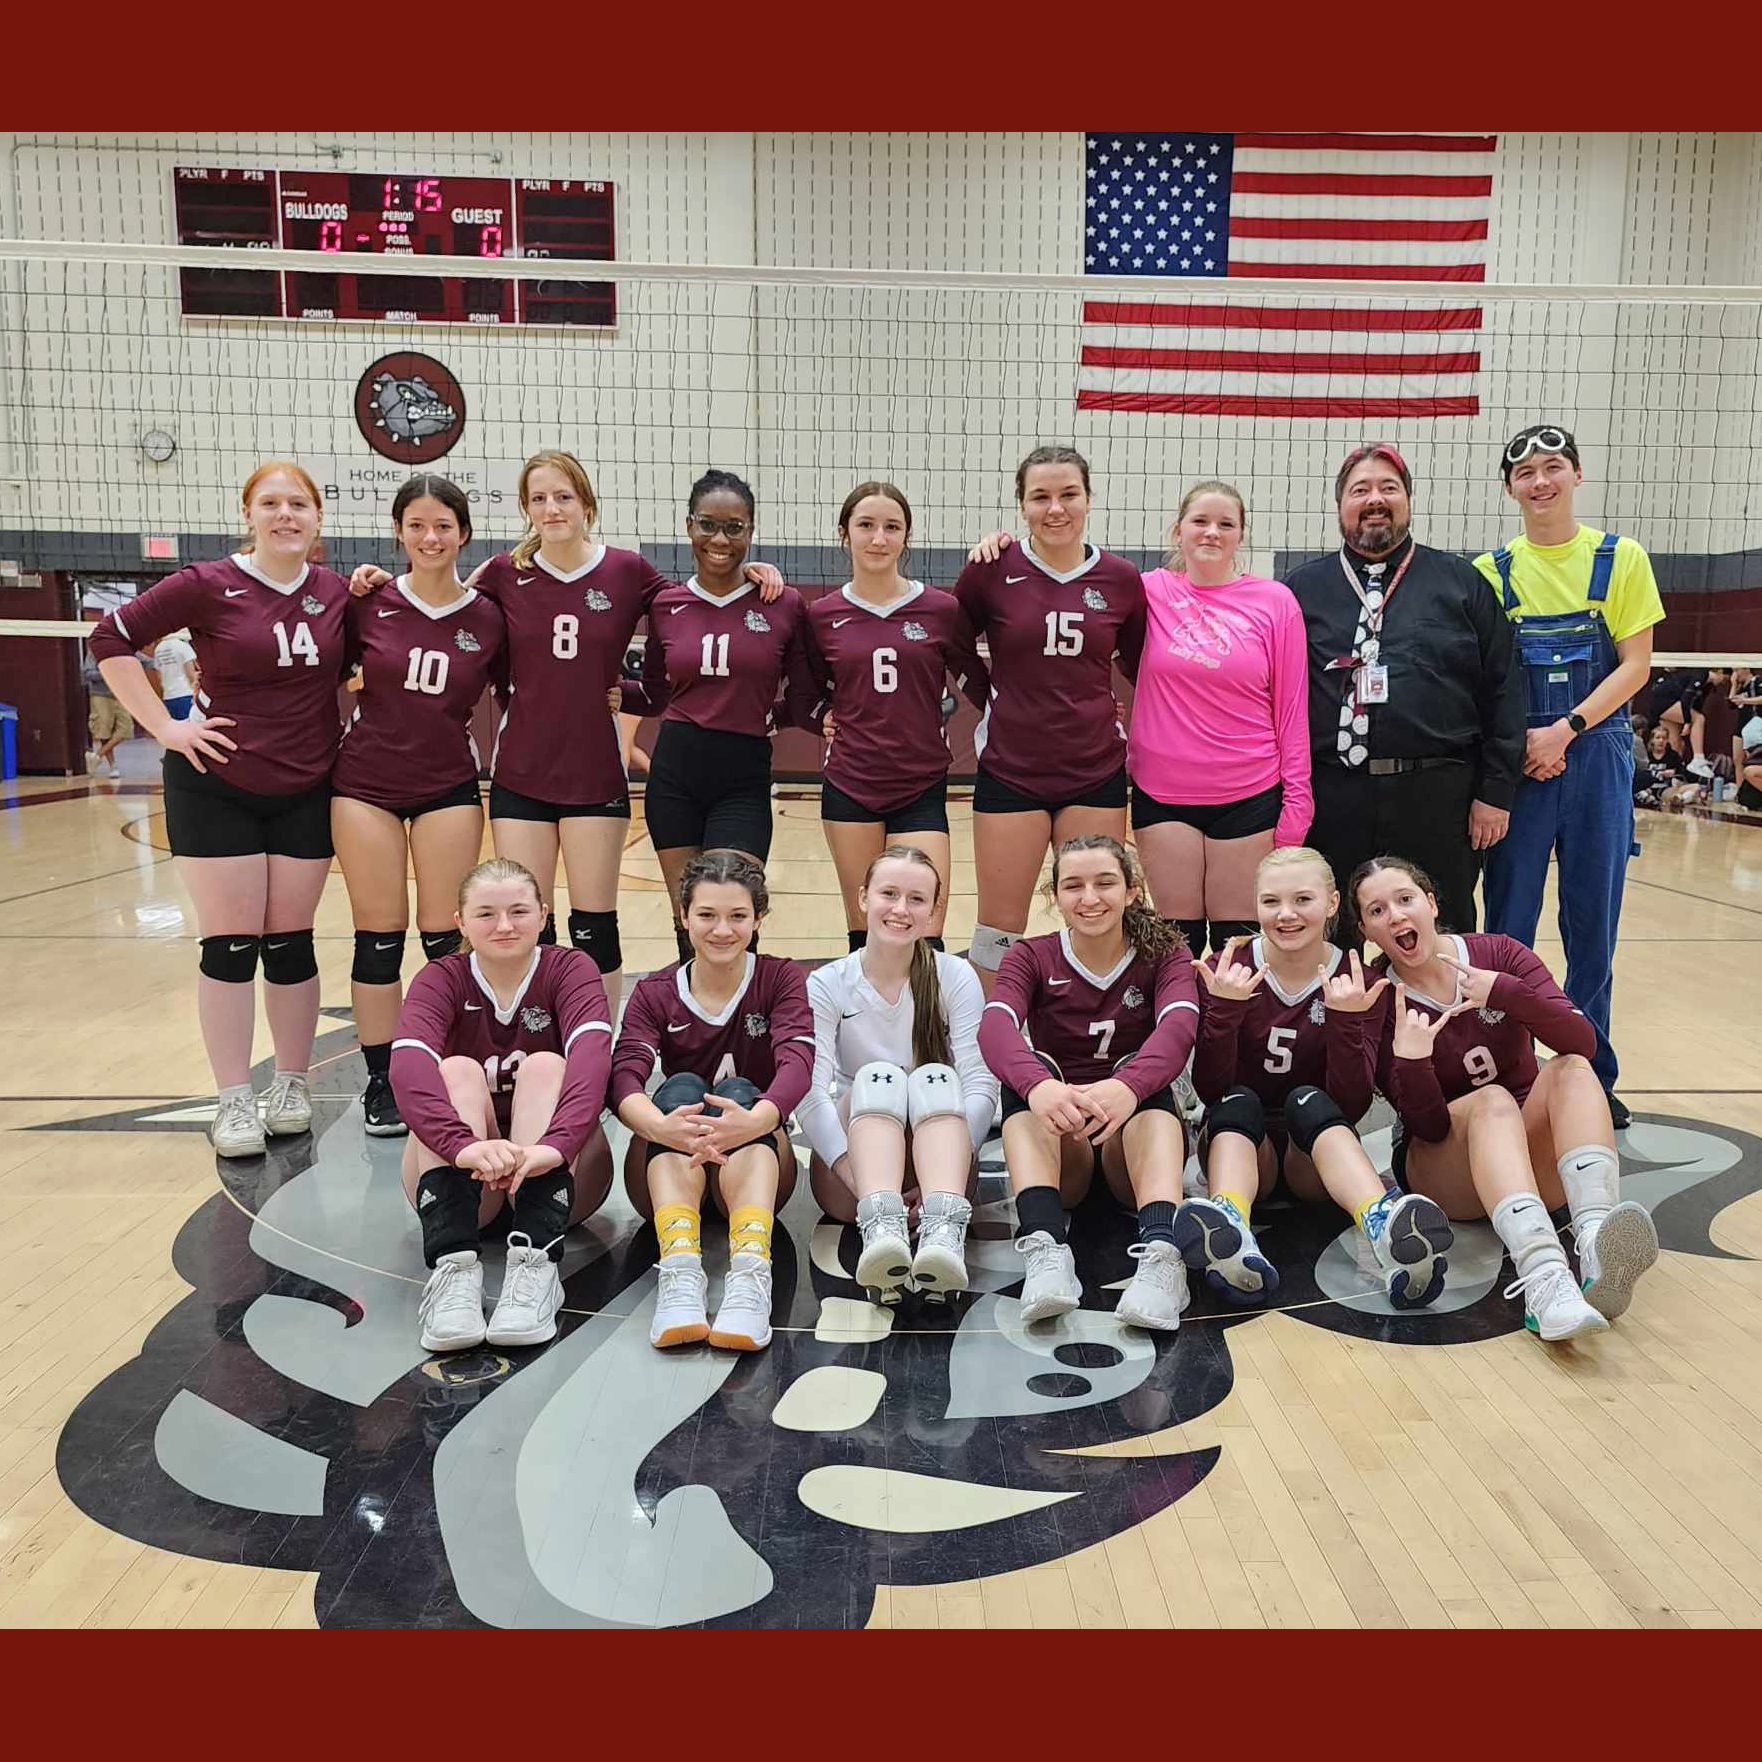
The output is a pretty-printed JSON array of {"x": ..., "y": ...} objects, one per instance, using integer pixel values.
[{"x": 882, "y": 648}]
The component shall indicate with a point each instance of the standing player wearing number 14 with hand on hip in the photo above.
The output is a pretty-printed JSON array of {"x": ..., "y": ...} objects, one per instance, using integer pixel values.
[{"x": 248, "y": 813}]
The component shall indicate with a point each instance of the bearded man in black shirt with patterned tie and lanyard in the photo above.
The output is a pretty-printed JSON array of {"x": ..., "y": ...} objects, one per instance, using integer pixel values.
[{"x": 1416, "y": 702}]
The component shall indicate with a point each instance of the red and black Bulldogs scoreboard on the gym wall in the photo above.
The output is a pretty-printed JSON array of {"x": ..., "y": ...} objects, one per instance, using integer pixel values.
[{"x": 401, "y": 218}]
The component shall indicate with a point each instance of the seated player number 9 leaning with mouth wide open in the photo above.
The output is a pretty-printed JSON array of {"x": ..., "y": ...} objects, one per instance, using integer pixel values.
[{"x": 1486, "y": 1134}]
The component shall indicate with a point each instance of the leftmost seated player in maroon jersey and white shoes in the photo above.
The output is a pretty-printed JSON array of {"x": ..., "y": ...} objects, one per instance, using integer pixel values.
[{"x": 501, "y": 1070}]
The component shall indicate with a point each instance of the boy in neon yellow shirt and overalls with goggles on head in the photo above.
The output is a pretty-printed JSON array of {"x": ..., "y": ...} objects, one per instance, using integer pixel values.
[{"x": 1583, "y": 605}]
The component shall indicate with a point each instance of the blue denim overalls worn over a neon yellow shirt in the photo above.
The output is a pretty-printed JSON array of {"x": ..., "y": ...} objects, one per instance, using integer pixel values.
[{"x": 1585, "y": 815}]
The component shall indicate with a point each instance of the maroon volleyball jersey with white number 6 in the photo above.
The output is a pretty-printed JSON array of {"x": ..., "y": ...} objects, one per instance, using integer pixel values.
[{"x": 880, "y": 674}]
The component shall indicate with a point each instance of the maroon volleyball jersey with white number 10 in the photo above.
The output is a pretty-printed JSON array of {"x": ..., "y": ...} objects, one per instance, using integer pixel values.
[{"x": 424, "y": 670}]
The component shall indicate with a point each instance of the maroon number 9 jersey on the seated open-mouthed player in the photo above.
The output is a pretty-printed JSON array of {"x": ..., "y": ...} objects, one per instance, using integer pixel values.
[{"x": 1492, "y": 1044}]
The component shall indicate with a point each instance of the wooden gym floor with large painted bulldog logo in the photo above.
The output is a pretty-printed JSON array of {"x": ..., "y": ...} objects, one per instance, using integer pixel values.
[{"x": 214, "y": 1410}]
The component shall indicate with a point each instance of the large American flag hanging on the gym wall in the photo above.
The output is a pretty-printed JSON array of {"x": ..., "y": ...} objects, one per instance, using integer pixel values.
[{"x": 1310, "y": 207}]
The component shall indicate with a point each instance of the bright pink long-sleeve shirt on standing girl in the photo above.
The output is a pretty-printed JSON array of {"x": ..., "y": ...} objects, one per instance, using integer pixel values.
[{"x": 1222, "y": 706}]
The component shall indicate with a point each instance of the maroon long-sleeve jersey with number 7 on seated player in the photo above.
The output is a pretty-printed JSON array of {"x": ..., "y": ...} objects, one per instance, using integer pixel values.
[{"x": 1136, "y": 1023}]
